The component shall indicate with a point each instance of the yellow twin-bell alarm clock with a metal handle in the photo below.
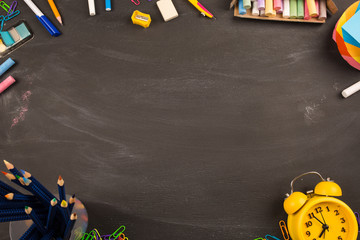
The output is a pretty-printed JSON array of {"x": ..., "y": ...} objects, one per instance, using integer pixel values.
[{"x": 318, "y": 215}]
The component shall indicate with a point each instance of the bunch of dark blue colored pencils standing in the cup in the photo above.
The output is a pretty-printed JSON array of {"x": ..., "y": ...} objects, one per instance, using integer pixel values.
[{"x": 52, "y": 217}]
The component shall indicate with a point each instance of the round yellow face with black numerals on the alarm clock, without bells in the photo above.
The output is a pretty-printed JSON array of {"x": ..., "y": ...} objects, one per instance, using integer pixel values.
[{"x": 329, "y": 220}]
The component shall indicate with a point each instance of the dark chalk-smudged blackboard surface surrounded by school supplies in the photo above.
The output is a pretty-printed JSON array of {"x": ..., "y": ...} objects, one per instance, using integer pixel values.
[{"x": 190, "y": 129}]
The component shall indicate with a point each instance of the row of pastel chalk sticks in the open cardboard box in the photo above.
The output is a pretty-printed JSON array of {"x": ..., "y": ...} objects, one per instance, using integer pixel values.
[{"x": 293, "y": 9}]
